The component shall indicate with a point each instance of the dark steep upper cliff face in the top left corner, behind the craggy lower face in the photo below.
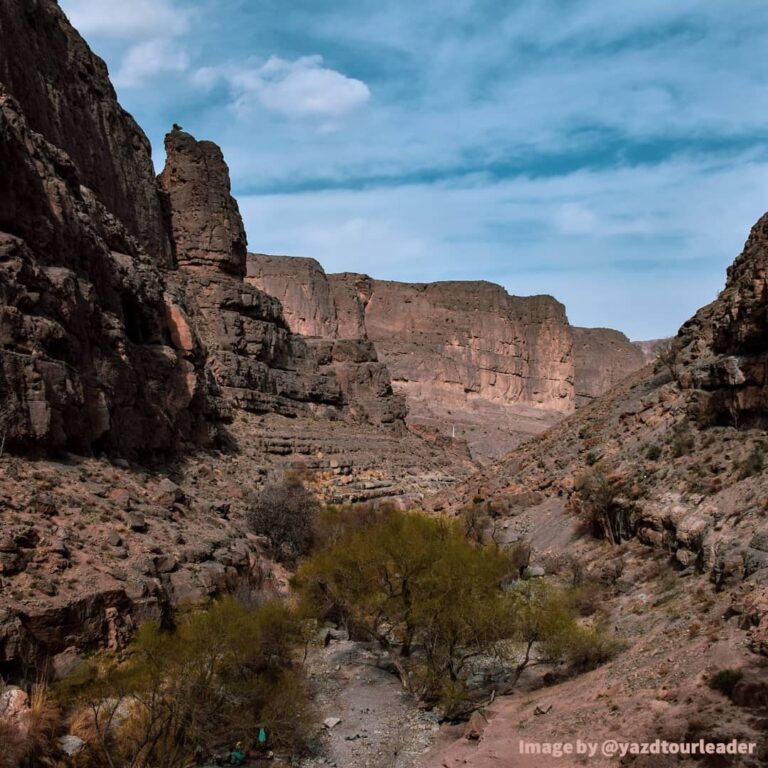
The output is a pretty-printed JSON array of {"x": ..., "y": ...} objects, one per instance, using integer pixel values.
[{"x": 64, "y": 92}]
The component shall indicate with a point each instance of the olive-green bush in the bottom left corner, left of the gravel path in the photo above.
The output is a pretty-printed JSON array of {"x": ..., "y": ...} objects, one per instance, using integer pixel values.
[{"x": 219, "y": 677}]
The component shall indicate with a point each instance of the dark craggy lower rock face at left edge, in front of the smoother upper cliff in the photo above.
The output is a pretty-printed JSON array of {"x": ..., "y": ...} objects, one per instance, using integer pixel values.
[{"x": 86, "y": 360}]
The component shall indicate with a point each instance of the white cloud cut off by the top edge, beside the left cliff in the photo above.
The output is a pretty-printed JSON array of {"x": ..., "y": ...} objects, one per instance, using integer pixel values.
[{"x": 132, "y": 20}]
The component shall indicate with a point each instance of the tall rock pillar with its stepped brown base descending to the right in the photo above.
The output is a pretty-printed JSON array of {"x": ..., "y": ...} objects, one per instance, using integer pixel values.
[{"x": 256, "y": 361}]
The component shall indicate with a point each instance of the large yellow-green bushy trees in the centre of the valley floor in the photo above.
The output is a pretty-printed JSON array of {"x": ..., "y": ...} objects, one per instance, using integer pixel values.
[{"x": 435, "y": 601}]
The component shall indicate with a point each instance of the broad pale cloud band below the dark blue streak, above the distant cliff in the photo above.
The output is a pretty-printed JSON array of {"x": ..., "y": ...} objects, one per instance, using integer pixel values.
[{"x": 652, "y": 248}]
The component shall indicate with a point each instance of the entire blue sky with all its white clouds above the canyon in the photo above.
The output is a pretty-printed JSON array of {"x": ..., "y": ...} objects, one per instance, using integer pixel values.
[{"x": 612, "y": 154}]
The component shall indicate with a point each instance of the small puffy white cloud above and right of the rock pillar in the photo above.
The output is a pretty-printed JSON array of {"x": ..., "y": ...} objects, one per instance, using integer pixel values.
[{"x": 303, "y": 88}]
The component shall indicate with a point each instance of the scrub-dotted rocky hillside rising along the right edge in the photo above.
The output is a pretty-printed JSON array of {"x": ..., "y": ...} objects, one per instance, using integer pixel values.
[{"x": 672, "y": 462}]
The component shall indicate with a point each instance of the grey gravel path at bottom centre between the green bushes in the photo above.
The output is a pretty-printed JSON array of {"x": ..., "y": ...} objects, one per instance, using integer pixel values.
[{"x": 380, "y": 727}]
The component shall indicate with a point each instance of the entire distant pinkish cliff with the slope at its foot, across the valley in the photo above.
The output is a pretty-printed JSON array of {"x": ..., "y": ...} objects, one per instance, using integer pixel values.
[{"x": 471, "y": 360}]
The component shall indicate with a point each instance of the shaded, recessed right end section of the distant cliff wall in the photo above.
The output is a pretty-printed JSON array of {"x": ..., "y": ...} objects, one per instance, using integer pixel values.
[{"x": 602, "y": 357}]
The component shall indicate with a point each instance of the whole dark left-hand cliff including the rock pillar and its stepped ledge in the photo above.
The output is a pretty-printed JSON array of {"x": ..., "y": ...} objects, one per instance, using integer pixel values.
[{"x": 127, "y": 326}]
